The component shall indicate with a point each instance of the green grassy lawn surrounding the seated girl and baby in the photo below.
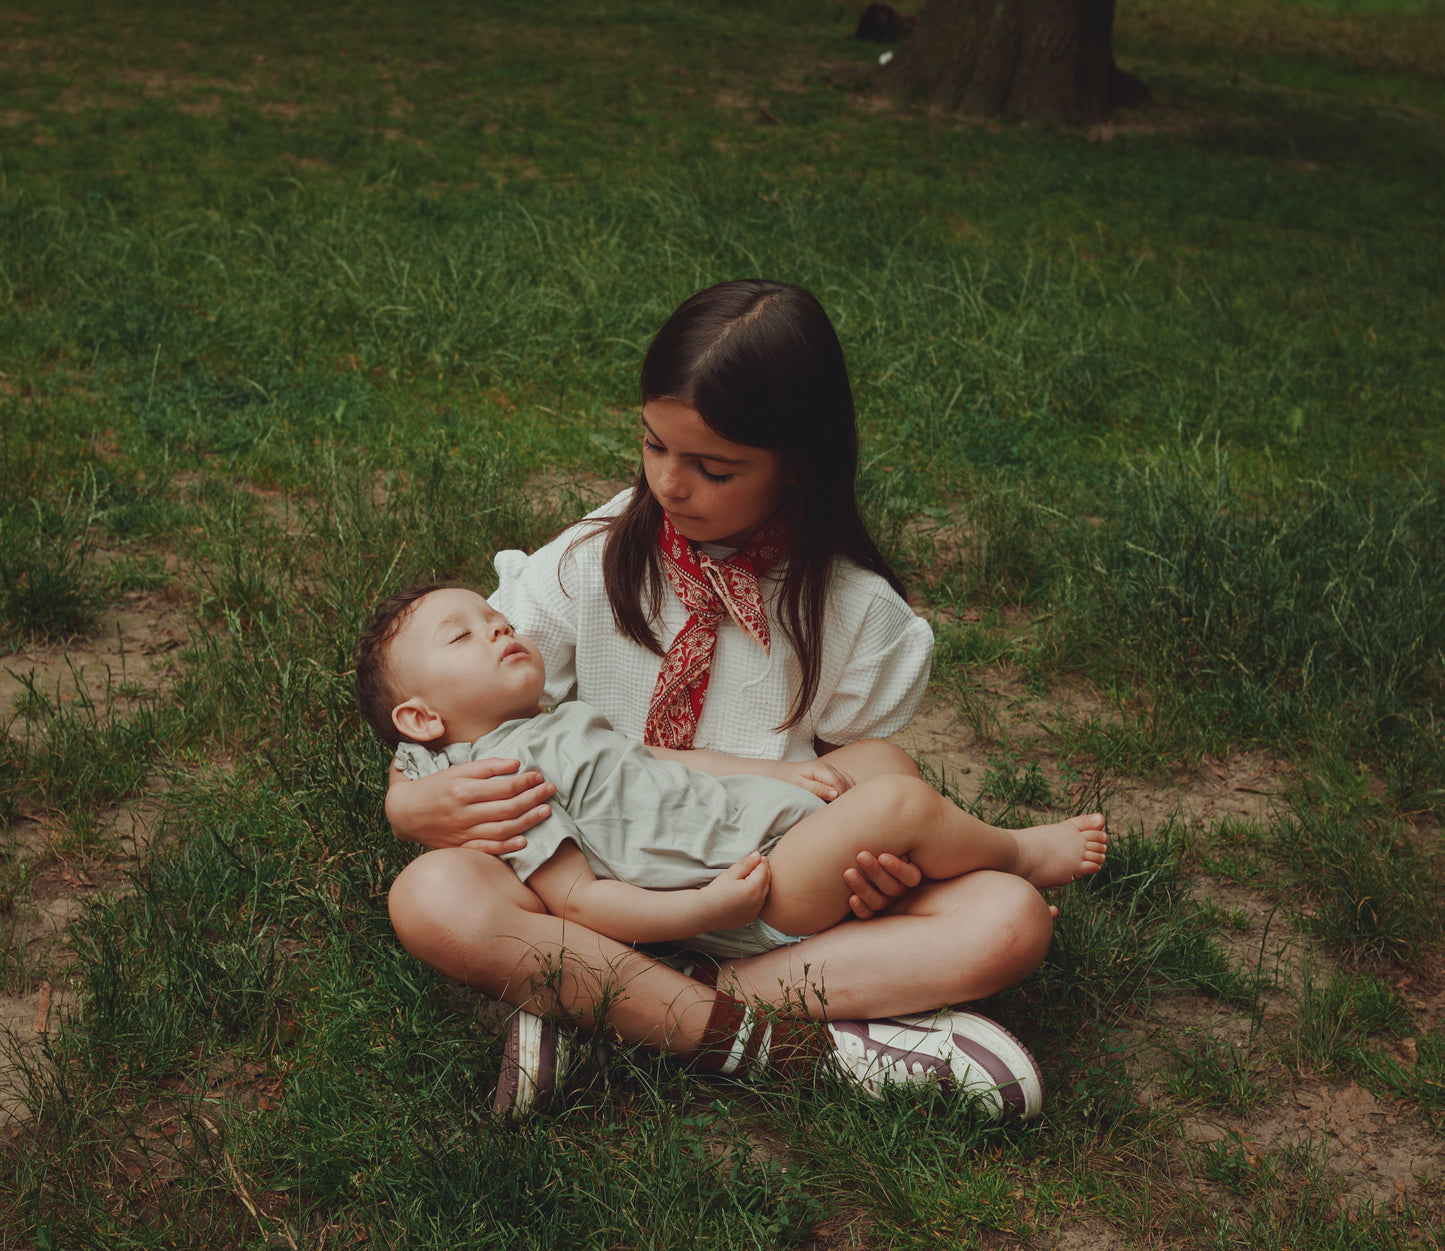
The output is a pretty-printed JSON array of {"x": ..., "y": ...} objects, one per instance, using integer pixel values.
[{"x": 300, "y": 304}]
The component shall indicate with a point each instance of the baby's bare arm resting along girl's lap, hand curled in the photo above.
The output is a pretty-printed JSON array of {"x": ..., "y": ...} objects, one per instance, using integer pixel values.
[{"x": 634, "y": 915}]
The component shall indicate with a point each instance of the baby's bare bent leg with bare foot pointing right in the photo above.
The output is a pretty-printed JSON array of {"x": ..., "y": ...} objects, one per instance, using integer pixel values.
[{"x": 908, "y": 818}]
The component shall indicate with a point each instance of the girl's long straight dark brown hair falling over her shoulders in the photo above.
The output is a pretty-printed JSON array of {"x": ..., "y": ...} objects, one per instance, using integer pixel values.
[{"x": 762, "y": 365}]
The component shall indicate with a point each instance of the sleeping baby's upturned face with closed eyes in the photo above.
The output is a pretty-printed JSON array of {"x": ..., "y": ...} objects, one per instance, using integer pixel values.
[{"x": 463, "y": 661}]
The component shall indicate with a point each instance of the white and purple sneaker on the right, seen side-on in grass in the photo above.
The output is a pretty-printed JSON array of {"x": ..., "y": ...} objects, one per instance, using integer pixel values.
[{"x": 953, "y": 1049}]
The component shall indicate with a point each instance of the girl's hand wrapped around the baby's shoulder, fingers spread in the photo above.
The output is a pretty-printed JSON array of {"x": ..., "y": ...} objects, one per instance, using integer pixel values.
[{"x": 486, "y": 805}]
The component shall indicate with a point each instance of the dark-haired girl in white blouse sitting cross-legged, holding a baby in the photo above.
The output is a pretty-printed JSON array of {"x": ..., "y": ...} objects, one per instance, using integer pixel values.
[{"x": 732, "y": 600}]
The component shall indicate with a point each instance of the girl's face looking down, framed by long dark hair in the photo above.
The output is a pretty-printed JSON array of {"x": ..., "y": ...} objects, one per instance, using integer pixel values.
[{"x": 713, "y": 490}]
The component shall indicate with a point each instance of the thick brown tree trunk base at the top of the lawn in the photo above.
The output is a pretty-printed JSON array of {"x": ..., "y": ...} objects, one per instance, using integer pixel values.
[{"x": 1041, "y": 60}]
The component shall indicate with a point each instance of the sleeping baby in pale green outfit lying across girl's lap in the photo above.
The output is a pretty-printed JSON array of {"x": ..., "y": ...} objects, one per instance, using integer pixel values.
[{"x": 652, "y": 846}]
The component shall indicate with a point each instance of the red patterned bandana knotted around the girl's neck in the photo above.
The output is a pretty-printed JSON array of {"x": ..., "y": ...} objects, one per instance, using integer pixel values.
[{"x": 710, "y": 590}]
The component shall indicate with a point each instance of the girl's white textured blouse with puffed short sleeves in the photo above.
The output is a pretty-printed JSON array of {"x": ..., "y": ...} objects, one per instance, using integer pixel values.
[{"x": 876, "y": 654}]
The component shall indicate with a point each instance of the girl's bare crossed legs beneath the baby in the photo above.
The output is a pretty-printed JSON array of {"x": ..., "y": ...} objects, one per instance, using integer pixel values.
[{"x": 467, "y": 915}]
